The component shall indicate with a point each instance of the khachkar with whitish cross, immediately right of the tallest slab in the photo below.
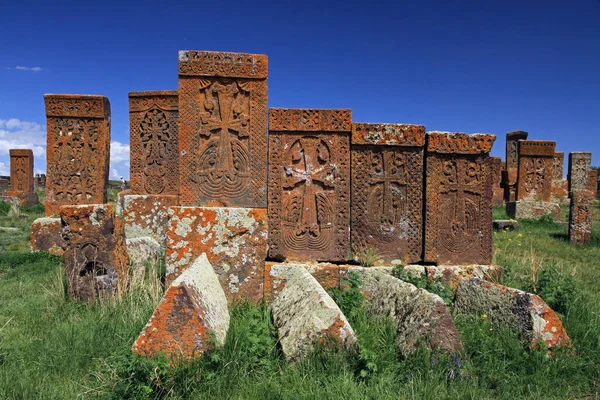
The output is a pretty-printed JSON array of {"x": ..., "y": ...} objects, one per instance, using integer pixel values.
[{"x": 309, "y": 184}]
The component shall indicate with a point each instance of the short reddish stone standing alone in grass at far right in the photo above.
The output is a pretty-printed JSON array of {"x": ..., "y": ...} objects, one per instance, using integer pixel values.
[{"x": 580, "y": 216}]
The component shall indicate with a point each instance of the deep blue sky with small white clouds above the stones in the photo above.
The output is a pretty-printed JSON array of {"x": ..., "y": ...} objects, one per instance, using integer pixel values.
[{"x": 465, "y": 66}]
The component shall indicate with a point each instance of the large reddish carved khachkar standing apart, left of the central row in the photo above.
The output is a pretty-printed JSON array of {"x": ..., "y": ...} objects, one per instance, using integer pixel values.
[{"x": 78, "y": 150}]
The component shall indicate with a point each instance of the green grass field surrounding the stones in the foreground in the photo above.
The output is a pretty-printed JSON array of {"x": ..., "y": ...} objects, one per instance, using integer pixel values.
[{"x": 53, "y": 347}]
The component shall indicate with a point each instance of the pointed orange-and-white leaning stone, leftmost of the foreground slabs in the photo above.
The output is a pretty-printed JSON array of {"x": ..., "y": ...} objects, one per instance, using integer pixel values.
[{"x": 191, "y": 318}]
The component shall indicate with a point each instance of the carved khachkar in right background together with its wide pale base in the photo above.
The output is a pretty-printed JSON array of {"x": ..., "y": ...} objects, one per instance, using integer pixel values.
[{"x": 534, "y": 181}]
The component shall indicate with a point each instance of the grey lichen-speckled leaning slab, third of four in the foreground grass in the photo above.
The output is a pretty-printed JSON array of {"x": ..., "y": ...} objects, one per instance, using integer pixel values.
[{"x": 422, "y": 318}]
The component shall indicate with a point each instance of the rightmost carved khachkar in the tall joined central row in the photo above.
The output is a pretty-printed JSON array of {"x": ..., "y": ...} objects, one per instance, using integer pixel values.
[{"x": 458, "y": 224}]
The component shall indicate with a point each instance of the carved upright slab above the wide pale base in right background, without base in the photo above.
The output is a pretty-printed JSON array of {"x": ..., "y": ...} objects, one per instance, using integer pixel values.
[{"x": 536, "y": 168}]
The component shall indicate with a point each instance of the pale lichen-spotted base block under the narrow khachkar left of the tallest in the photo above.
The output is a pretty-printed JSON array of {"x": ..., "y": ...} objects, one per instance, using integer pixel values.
[{"x": 147, "y": 215}]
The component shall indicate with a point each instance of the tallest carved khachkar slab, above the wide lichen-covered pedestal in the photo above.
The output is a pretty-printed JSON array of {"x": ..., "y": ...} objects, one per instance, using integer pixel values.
[{"x": 223, "y": 129}]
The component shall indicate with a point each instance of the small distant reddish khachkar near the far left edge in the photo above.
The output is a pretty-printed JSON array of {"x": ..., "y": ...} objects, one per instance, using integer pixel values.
[{"x": 21, "y": 176}]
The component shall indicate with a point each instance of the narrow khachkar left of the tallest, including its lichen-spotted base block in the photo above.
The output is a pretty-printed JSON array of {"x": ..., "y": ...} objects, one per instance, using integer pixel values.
[{"x": 154, "y": 132}]
